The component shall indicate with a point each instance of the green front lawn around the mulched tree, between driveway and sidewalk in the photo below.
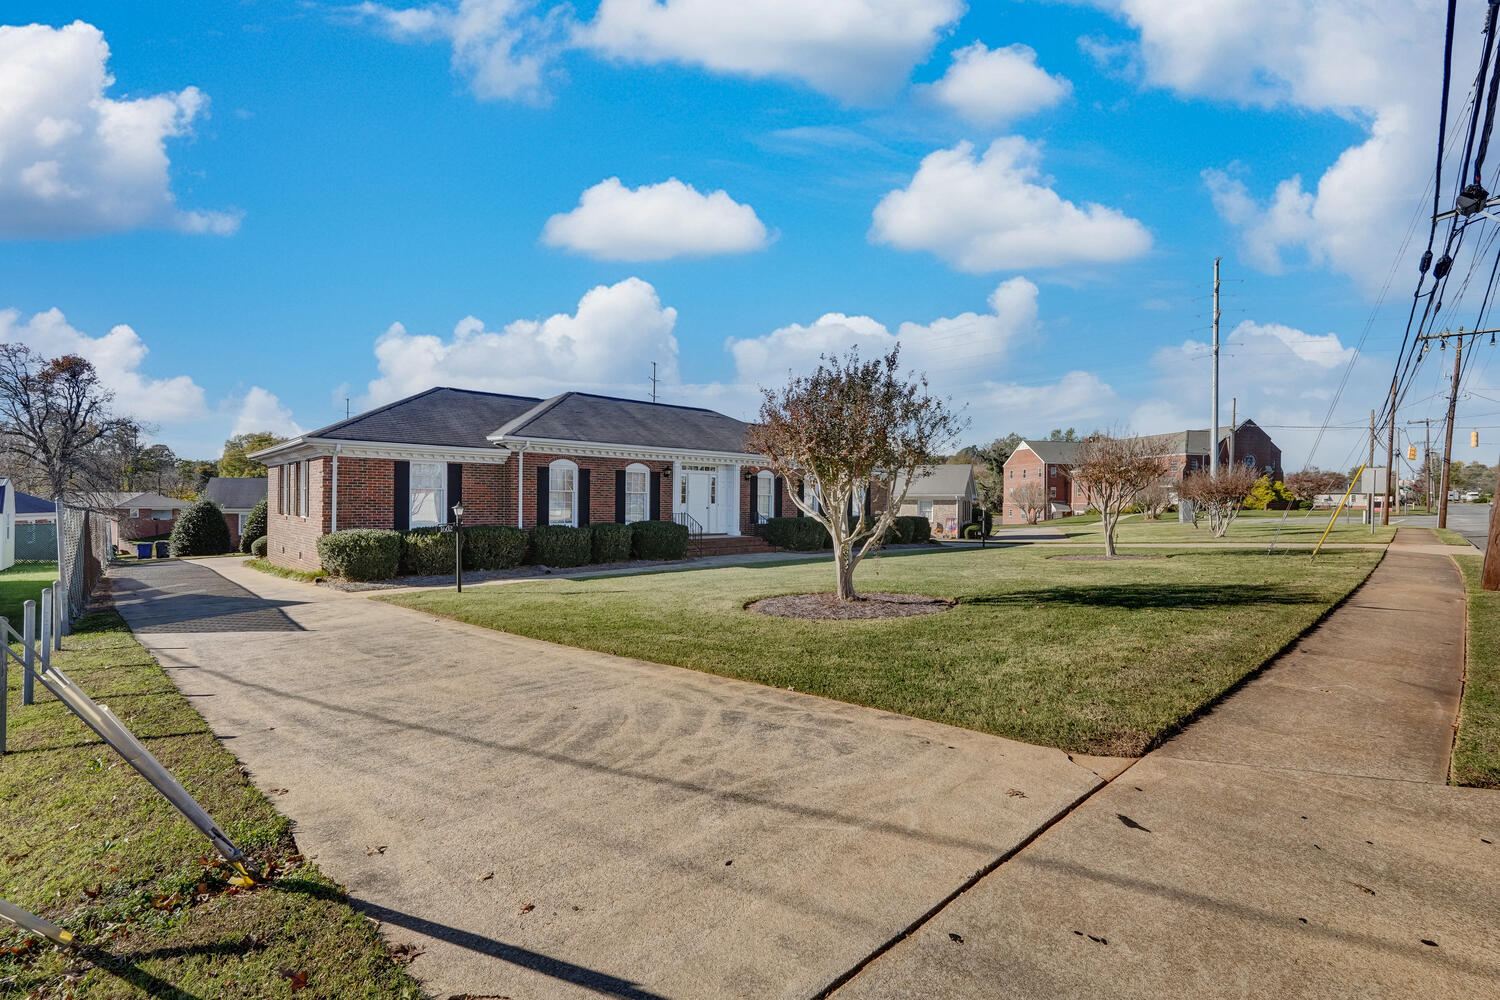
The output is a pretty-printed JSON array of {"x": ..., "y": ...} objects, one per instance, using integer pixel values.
[{"x": 1096, "y": 657}]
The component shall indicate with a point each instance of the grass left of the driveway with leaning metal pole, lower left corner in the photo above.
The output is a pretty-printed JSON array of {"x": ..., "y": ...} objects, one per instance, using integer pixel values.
[{"x": 88, "y": 843}]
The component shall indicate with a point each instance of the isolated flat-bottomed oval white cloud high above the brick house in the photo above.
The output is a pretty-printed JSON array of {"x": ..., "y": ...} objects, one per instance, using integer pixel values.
[{"x": 655, "y": 223}]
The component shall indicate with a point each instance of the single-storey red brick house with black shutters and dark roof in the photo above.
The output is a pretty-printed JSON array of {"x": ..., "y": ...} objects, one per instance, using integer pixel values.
[{"x": 572, "y": 460}]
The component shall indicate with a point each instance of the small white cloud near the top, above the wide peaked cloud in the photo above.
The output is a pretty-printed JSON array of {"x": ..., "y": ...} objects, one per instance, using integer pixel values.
[{"x": 997, "y": 86}]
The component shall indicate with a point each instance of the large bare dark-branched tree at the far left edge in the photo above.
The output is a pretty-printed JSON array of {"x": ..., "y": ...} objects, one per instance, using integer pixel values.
[{"x": 56, "y": 418}]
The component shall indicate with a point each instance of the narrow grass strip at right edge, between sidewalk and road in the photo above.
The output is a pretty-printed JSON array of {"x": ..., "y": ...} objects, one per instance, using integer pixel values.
[{"x": 1477, "y": 749}]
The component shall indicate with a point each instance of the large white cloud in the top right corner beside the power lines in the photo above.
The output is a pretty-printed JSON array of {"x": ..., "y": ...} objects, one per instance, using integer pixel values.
[{"x": 1336, "y": 58}]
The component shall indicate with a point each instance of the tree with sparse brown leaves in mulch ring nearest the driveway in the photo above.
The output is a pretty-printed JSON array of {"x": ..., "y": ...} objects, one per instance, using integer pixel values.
[{"x": 850, "y": 428}]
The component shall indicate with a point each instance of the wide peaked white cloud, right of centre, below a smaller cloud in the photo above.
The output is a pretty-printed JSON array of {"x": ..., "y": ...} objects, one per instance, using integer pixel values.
[{"x": 997, "y": 212}]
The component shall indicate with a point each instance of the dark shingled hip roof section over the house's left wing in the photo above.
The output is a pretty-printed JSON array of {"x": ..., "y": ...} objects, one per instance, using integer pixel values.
[{"x": 454, "y": 418}]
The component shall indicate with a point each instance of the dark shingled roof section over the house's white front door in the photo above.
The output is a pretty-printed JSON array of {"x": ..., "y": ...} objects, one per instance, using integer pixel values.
[{"x": 629, "y": 422}]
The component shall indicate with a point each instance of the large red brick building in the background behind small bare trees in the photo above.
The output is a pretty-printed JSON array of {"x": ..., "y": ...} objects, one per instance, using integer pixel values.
[{"x": 1183, "y": 454}]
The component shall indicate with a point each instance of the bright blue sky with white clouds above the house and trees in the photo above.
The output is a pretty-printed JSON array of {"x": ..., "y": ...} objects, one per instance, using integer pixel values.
[{"x": 340, "y": 170}]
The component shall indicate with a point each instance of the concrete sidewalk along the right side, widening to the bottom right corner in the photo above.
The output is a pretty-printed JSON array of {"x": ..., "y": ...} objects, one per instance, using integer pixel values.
[{"x": 1298, "y": 842}]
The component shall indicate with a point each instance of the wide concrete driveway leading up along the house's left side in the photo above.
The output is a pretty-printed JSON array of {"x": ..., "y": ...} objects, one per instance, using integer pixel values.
[{"x": 550, "y": 822}]
